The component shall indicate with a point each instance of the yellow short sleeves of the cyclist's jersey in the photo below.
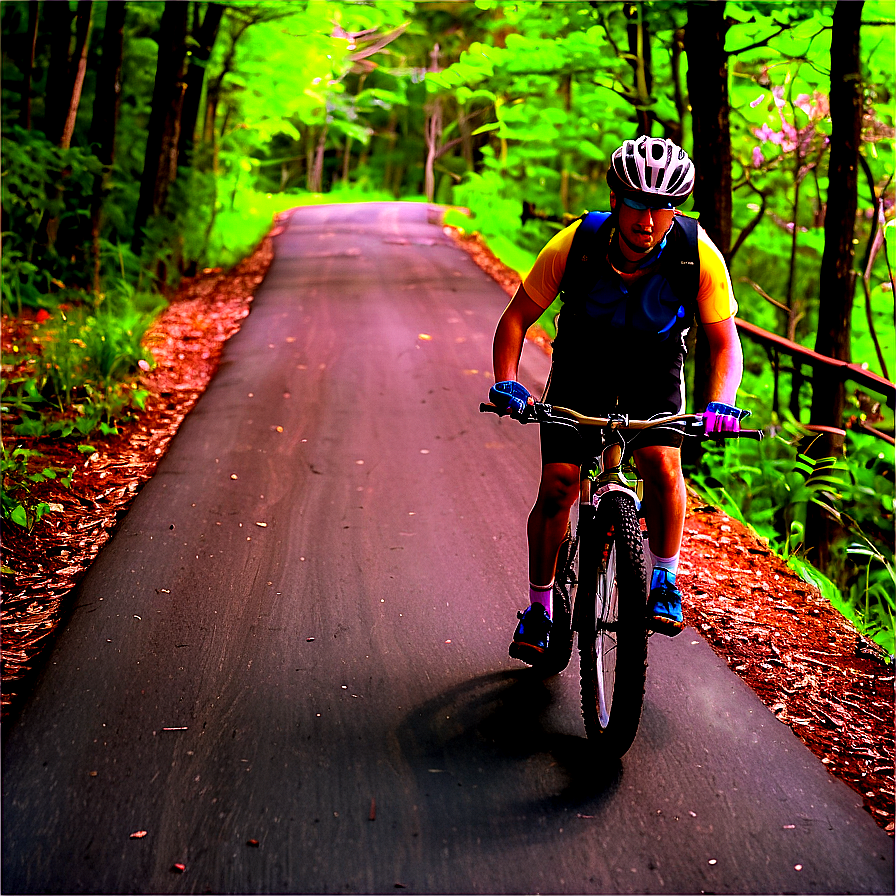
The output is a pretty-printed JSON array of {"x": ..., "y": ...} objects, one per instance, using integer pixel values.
[{"x": 715, "y": 297}]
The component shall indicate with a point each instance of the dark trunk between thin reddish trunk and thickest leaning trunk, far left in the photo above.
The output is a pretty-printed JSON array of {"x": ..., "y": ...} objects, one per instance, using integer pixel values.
[{"x": 106, "y": 105}]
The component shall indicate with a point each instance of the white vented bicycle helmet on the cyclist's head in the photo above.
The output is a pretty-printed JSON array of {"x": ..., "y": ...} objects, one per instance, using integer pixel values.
[{"x": 652, "y": 167}]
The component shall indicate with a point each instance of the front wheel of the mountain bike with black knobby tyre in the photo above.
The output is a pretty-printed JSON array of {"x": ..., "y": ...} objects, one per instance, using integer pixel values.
[{"x": 613, "y": 625}]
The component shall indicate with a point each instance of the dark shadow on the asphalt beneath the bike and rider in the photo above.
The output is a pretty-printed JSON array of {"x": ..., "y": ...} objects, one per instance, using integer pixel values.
[{"x": 488, "y": 746}]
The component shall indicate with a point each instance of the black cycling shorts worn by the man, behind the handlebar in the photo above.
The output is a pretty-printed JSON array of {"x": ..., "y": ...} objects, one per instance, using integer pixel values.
[{"x": 642, "y": 390}]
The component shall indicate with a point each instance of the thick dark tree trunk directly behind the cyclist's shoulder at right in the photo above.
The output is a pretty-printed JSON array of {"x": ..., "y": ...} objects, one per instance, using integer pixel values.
[{"x": 708, "y": 90}]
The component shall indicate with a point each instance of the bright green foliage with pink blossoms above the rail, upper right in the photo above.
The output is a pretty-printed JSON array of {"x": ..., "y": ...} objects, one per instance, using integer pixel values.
[{"x": 780, "y": 128}]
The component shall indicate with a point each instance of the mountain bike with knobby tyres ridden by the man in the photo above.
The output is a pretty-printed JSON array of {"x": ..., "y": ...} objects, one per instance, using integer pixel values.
[{"x": 603, "y": 573}]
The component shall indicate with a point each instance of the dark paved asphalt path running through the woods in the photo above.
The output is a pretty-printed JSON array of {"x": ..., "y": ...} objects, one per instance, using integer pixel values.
[{"x": 289, "y": 666}]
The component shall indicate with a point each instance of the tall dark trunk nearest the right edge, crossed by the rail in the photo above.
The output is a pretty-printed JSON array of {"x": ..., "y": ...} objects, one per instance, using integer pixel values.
[{"x": 837, "y": 277}]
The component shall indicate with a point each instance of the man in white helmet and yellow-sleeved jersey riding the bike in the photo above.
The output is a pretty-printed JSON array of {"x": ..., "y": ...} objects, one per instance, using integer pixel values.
[{"x": 620, "y": 345}]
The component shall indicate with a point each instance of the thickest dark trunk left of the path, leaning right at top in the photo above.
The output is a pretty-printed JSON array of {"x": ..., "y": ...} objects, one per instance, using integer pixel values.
[{"x": 160, "y": 162}]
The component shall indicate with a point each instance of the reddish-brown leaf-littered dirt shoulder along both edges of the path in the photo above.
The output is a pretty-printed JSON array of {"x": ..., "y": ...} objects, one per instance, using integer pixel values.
[{"x": 804, "y": 660}]
